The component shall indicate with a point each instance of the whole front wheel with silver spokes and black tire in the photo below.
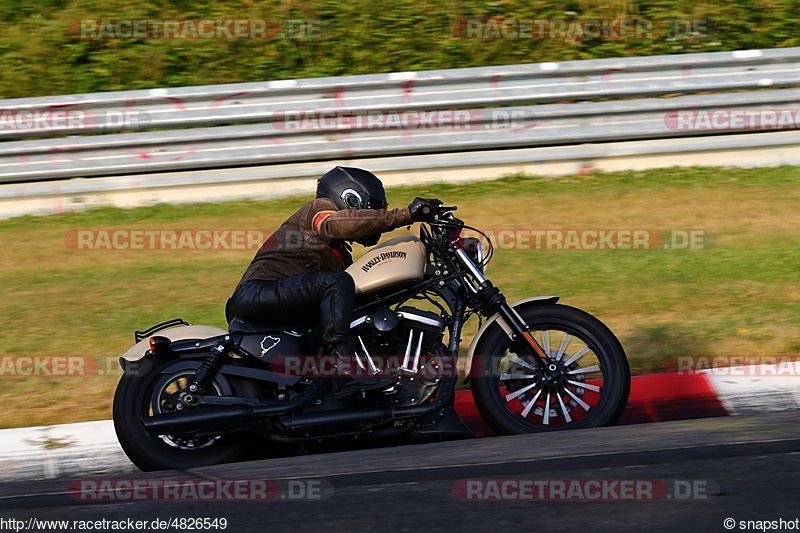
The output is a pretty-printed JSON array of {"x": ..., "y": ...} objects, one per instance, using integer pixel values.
[{"x": 584, "y": 382}]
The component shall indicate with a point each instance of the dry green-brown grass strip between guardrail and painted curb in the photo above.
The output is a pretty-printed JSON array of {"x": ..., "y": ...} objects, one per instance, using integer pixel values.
[{"x": 740, "y": 296}]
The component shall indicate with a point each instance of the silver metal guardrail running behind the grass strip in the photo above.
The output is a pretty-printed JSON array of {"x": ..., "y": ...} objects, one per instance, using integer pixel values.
[{"x": 563, "y": 103}]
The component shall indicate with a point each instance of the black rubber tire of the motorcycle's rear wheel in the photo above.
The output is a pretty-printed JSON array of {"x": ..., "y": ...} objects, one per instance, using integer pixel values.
[{"x": 131, "y": 401}]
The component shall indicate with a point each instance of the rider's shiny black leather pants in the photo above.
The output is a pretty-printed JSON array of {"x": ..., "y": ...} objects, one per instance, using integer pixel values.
[{"x": 328, "y": 295}]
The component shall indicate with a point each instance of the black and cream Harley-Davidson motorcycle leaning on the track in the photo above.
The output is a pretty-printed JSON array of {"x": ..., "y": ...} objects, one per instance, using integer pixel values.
[{"x": 196, "y": 395}]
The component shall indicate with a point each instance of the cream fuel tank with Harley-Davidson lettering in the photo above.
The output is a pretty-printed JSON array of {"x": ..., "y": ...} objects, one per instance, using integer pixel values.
[{"x": 398, "y": 260}]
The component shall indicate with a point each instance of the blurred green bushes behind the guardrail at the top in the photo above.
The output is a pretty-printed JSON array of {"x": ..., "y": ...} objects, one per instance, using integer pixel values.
[{"x": 41, "y": 54}]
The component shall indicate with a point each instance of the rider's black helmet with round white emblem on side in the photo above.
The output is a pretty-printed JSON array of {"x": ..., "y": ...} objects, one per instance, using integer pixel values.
[{"x": 352, "y": 188}]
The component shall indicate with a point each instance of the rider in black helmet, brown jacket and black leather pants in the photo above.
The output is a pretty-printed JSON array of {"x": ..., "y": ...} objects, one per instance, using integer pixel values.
[{"x": 299, "y": 270}]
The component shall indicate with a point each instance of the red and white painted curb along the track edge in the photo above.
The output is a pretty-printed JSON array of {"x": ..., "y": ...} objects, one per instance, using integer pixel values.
[{"x": 91, "y": 448}]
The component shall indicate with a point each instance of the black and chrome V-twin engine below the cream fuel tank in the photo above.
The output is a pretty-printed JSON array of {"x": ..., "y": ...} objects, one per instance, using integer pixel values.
[{"x": 406, "y": 342}]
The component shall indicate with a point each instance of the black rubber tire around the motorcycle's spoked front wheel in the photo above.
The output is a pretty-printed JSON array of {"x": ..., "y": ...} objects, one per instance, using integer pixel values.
[{"x": 609, "y": 352}]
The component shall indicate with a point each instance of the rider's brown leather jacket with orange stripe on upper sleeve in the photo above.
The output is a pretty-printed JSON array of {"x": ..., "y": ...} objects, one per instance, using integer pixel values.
[{"x": 312, "y": 239}]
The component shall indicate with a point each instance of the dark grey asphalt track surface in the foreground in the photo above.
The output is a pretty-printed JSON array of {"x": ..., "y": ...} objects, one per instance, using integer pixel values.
[{"x": 745, "y": 468}]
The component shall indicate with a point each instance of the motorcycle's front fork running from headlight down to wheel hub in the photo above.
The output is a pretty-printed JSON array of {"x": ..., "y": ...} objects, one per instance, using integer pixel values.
[{"x": 492, "y": 301}]
